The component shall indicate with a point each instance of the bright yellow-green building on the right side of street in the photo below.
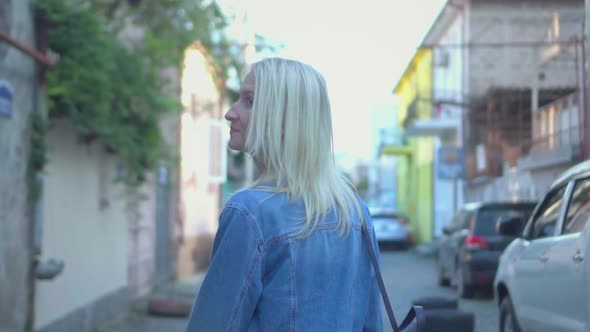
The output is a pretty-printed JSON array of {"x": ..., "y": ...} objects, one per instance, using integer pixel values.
[{"x": 415, "y": 155}]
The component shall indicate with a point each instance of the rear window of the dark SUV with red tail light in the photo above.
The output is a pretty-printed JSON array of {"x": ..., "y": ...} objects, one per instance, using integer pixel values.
[{"x": 488, "y": 217}]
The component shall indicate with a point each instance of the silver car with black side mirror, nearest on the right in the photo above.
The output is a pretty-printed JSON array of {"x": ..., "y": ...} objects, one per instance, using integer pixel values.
[{"x": 543, "y": 280}]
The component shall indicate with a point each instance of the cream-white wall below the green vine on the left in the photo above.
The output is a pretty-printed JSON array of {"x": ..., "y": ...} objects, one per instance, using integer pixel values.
[{"x": 84, "y": 223}]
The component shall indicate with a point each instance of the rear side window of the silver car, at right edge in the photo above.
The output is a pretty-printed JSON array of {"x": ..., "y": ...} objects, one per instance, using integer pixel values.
[{"x": 578, "y": 211}]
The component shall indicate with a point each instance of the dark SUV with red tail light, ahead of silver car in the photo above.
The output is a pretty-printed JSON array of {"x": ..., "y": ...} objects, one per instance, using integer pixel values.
[{"x": 469, "y": 251}]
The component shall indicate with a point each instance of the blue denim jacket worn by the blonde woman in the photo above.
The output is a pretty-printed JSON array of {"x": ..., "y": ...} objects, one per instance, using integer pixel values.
[{"x": 263, "y": 278}]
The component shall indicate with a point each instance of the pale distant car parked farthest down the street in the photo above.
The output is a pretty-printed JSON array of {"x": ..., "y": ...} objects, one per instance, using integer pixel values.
[{"x": 391, "y": 227}]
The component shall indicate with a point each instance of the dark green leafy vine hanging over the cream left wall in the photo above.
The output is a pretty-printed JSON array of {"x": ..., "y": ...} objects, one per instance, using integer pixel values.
[{"x": 104, "y": 89}]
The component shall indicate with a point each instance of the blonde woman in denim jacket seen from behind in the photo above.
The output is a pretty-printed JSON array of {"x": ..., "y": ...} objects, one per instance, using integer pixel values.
[{"x": 289, "y": 254}]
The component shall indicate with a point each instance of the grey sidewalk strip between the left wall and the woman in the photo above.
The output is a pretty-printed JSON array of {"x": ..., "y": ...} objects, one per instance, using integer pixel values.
[{"x": 138, "y": 319}]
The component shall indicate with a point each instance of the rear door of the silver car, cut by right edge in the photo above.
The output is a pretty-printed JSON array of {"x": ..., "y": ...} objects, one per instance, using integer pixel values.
[{"x": 566, "y": 303}]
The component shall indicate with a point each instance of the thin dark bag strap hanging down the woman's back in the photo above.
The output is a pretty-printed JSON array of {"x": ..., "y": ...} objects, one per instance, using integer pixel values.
[{"x": 416, "y": 312}]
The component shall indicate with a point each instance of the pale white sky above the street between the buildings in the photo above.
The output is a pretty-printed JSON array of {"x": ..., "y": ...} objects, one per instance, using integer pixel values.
[{"x": 361, "y": 48}]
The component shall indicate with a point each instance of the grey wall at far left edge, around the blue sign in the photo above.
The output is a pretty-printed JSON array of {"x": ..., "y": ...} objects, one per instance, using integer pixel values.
[{"x": 15, "y": 222}]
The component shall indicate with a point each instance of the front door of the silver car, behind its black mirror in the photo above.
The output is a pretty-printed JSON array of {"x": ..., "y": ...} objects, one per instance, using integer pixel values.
[{"x": 529, "y": 264}]
